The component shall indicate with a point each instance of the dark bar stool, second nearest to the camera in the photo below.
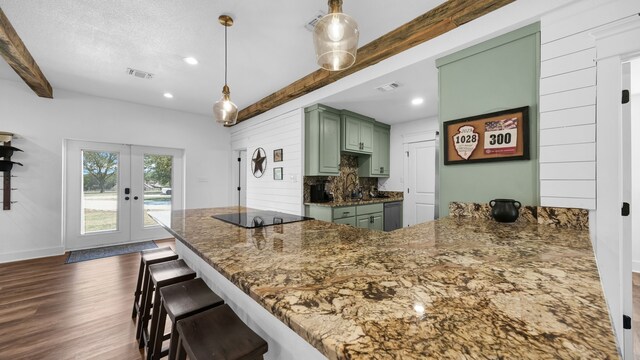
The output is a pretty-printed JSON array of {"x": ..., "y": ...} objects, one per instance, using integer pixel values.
[{"x": 180, "y": 301}]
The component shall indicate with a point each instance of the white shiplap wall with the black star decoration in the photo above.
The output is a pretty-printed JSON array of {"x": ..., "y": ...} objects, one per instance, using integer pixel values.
[{"x": 281, "y": 132}]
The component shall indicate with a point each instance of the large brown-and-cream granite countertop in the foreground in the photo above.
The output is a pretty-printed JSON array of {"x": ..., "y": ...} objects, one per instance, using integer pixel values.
[{"x": 449, "y": 289}]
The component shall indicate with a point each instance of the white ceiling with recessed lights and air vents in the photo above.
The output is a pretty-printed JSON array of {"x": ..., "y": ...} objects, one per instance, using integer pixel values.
[{"x": 86, "y": 46}]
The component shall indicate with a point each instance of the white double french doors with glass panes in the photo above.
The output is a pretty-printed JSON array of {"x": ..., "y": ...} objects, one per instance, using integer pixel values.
[{"x": 110, "y": 188}]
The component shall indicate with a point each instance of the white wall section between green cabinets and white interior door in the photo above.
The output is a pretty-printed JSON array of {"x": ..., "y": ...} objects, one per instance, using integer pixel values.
[{"x": 395, "y": 181}]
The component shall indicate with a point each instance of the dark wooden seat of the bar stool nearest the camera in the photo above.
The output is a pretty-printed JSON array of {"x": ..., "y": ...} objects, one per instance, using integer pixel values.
[{"x": 218, "y": 334}]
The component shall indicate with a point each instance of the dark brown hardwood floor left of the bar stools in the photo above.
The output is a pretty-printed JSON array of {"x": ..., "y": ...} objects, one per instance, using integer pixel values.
[{"x": 53, "y": 310}]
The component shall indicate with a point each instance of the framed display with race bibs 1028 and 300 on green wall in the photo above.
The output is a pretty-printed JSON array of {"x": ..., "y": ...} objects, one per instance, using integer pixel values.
[{"x": 497, "y": 136}]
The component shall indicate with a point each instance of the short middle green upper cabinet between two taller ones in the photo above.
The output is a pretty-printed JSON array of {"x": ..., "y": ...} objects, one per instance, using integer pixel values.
[{"x": 357, "y": 133}]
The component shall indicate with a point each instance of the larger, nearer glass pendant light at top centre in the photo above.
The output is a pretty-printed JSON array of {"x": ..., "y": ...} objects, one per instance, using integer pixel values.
[{"x": 336, "y": 39}]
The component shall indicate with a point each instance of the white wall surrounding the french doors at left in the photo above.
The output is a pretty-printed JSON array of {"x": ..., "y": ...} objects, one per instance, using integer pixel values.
[{"x": 33, "y": 227}]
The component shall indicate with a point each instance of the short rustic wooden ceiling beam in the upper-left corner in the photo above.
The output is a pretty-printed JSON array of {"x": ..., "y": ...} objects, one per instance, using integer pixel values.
[{"x": 18, "y": 57}]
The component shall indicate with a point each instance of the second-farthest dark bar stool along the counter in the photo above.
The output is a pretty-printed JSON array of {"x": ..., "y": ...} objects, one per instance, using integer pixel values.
[{"x": 160, "y": 275}]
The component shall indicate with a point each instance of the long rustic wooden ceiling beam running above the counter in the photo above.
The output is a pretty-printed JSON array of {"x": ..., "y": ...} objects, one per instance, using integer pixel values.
[{"x": 429, "y": 25}]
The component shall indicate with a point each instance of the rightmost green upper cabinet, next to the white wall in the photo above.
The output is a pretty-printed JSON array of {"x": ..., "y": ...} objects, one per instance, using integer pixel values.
[{"x": 378, "y": 164}]
